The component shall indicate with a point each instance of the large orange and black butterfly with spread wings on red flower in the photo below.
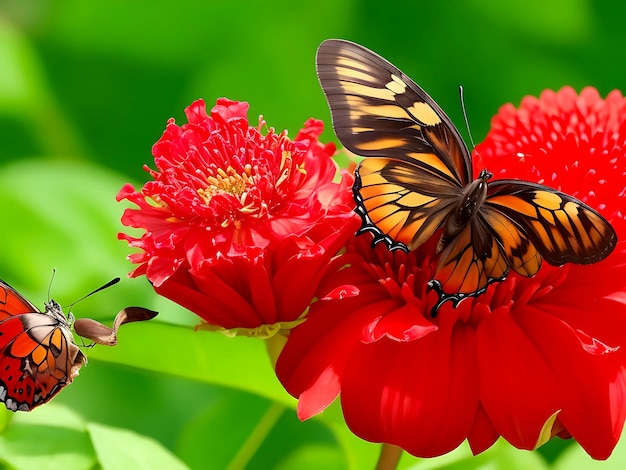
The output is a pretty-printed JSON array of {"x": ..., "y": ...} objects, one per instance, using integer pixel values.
[{"x": 417, "y": 181}]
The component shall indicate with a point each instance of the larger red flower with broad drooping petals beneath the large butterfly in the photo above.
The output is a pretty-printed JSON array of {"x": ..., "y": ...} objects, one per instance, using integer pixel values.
[{"x": 529, "y": 359}]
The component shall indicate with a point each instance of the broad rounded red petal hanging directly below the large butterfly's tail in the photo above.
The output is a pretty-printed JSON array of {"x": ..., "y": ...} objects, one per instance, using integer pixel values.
[{"x": 428, "y": 390}]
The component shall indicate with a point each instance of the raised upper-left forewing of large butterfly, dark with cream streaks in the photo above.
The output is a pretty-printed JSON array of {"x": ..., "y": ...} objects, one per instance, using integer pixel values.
[{"x": 379, "y": 111}]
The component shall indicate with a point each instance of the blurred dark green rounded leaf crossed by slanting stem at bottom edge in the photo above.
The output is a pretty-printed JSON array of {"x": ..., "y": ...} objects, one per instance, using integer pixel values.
[{"x": 261, "y": 434}]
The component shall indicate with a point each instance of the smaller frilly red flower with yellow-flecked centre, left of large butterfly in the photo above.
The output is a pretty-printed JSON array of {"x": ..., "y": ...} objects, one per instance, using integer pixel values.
[{"x": 240, "y": 225}]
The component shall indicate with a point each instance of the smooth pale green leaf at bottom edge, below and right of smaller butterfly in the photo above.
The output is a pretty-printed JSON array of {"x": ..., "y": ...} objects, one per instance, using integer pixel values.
[{"x": 122, "y": 449}]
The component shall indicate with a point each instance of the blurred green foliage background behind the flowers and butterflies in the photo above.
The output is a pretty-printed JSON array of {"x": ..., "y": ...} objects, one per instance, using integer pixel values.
[{"x": 86, "y": 88}]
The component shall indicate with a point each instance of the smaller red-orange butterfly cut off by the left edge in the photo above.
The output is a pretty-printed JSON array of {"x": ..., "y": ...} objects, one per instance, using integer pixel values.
[{"x": 38, "y": 356}]
